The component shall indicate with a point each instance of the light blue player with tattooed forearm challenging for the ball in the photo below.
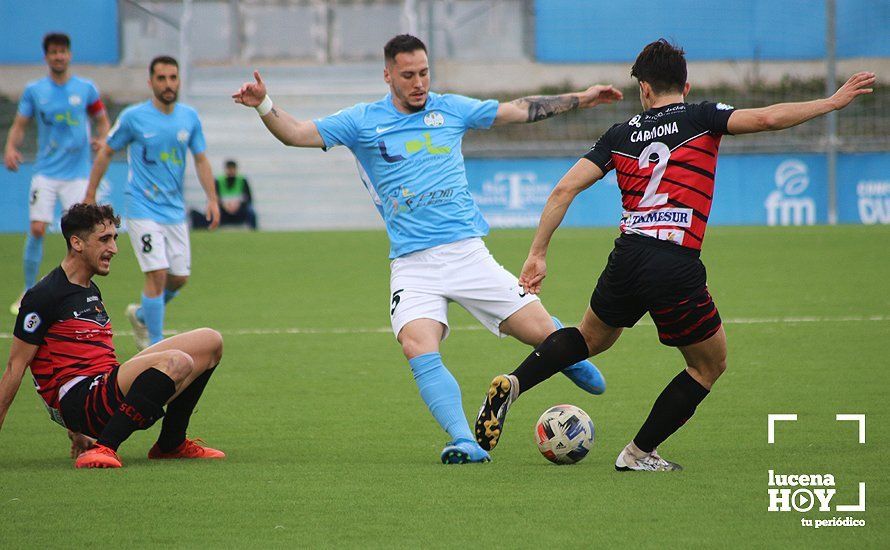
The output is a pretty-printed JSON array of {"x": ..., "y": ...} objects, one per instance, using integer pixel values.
[{"x": 408, "y": 146}]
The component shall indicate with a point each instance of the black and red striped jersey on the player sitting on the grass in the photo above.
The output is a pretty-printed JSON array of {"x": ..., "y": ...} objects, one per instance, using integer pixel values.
[{"x": 71, "y": 328}]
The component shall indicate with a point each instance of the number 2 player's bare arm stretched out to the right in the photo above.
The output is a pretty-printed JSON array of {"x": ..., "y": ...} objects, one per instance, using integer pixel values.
[{"x": 786, "y": 115}]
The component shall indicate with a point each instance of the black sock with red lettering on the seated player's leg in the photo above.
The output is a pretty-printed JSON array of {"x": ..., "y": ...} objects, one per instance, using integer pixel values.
[{"x": 142, "y": 407}]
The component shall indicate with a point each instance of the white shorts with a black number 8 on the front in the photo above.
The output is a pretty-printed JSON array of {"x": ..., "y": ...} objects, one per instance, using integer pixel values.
[{"x": 161, "y": 246}]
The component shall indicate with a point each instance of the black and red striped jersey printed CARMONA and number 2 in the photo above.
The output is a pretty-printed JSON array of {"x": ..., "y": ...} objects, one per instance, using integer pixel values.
[{"x": 665, "y": 160}]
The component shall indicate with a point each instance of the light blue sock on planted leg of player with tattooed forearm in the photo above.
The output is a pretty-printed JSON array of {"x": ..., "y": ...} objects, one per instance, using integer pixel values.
[{"x": 440, "y": 392}]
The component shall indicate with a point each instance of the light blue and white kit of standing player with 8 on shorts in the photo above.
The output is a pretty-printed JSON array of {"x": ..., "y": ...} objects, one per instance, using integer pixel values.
[{"x": 155, "y": 204}]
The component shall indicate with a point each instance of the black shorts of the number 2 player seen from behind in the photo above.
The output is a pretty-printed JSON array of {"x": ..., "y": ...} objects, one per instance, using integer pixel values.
[{"x": 667, "y": 280}]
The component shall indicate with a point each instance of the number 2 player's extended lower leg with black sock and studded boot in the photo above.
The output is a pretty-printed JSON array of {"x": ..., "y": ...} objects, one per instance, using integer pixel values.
[{"x": 560, "y": 349}]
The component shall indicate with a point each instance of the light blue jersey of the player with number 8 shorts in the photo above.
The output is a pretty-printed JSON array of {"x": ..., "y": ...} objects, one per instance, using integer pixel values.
[{"x": 158, "y": 144}]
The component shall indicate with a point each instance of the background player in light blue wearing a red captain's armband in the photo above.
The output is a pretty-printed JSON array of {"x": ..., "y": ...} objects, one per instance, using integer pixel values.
[{"x": 63, "y": 104}]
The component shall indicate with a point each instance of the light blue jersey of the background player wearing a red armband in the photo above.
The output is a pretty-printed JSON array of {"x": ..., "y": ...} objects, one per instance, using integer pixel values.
[{"x": 63, "y": 125}]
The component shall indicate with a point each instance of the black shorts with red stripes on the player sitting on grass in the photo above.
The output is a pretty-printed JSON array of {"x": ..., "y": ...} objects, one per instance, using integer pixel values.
[{"x": 91, "y": 403}]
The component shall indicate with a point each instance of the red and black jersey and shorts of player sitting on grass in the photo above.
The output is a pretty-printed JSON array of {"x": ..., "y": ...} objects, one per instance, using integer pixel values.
[{"x": 72, "y": 330}]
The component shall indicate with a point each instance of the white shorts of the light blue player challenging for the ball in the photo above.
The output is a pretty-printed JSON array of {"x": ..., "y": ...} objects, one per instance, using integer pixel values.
[{"x": 424, "y": 282}]
